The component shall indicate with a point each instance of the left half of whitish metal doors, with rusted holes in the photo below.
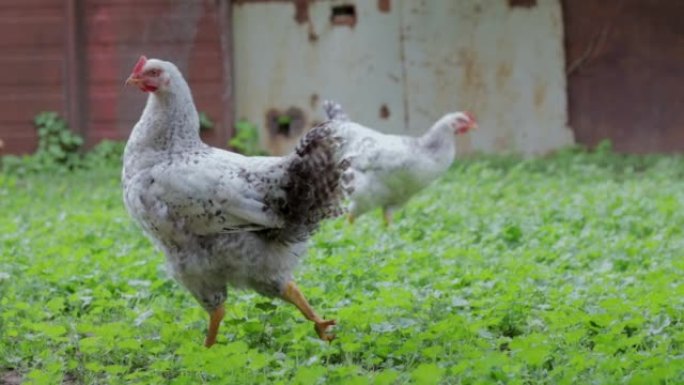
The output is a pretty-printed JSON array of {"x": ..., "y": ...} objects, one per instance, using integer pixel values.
[{"x": 290, "y": 55}]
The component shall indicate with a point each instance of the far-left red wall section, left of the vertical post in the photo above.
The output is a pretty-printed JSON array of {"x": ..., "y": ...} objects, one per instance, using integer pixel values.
[{"x": 32, "y": 67}]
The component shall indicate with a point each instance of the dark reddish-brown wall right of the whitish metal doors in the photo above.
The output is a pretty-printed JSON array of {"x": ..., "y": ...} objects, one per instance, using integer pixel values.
[{"x": 625, "y": 66}]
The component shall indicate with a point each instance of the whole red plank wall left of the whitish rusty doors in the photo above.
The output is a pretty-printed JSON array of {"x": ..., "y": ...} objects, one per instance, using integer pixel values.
[{"x": 73, "y": 56}]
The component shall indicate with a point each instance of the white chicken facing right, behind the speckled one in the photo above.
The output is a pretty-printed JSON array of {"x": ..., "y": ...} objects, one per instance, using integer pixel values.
[{"x": 386, "y": 170}]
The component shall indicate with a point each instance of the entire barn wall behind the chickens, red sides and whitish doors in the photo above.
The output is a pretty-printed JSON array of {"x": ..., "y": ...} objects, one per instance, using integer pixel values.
[{"x": 538, "y": 74}]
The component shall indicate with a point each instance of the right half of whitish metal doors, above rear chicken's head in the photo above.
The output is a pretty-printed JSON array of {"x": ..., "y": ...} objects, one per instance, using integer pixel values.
[{"x": 503, "y": 61}]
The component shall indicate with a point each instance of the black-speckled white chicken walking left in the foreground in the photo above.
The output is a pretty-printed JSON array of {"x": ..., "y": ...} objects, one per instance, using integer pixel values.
[{"x": 223, "y": 219}]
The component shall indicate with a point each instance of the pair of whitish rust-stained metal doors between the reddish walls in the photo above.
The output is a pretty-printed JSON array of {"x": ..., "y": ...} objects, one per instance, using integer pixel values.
[{"x": 399, "y": 65}]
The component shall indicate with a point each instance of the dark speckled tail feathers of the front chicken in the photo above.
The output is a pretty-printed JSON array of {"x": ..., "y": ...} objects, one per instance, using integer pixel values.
[{"x": 312, "y": 185}]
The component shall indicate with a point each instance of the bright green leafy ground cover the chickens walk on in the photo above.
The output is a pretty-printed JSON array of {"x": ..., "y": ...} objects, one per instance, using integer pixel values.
[{"x": 567, "y": 270}]
